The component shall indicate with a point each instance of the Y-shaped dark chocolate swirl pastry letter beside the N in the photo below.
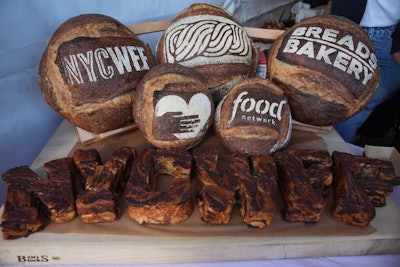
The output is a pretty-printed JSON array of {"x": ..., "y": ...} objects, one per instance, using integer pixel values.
[{"x": 103, "y": 183}]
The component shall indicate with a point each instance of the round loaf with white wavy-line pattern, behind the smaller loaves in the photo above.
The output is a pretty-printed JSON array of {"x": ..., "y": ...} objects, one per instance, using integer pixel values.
[{"x": 209, "y": 39}]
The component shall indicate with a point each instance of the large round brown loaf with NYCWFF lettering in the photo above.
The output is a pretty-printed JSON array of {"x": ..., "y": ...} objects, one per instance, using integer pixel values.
[{"x": 89, "y": 69}]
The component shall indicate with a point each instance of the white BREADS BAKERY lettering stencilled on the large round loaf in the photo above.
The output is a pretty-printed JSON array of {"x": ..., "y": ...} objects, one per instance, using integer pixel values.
[{"x": 333, "y": 51}]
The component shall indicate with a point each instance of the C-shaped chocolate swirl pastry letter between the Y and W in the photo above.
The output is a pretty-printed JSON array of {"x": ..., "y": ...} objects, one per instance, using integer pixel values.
[{"x": 146, "y": 204}]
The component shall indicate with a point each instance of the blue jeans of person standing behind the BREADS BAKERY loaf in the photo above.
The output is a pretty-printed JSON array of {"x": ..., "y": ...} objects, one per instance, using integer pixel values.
[{"x": 389, "y": 81}]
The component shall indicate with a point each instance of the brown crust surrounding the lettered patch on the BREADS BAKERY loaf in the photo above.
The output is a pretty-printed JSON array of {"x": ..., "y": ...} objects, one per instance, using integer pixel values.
[{"x": 314, "y": 96}]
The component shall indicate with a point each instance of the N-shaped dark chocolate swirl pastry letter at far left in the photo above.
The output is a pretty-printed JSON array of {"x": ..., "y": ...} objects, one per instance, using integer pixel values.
[{"x": 31, "y": 201}]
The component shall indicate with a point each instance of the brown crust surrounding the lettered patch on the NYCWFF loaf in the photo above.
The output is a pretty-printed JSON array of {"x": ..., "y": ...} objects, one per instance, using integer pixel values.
[{"x": 106, "y": 107}]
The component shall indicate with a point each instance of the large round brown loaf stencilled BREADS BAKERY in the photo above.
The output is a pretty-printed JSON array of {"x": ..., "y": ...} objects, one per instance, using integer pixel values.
[{"x": 327, "y": 68}]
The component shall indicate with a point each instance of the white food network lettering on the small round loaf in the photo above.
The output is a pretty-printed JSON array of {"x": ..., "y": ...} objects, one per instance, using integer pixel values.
[{"x": 257, "y": 110}]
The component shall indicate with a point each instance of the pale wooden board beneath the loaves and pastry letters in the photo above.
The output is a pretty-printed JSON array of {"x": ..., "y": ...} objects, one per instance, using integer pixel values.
[{"x": 126, "y": 242}]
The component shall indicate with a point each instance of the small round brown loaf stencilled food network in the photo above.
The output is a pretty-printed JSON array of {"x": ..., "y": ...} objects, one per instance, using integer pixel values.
[{"x": 254, "y": 118}]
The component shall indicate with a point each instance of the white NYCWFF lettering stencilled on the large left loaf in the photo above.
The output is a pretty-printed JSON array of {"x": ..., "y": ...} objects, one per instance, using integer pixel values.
[{"x": 102, "y": 63}]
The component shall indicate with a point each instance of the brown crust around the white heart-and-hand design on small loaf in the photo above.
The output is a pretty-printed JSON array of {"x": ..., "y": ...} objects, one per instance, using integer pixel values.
[{"x": 168, "y": 79}]
